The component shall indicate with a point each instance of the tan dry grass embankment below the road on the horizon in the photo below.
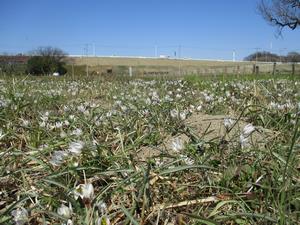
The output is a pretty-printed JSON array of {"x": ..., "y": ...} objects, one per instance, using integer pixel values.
[{"x": 175, "y": 66}]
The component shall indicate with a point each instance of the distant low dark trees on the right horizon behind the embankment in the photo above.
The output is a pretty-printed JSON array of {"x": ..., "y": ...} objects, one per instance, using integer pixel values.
[{"x": 264, "y": 56}]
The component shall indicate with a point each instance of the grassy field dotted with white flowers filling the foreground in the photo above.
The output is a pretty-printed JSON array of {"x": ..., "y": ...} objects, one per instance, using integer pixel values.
[{"x": 140, "y": 151}]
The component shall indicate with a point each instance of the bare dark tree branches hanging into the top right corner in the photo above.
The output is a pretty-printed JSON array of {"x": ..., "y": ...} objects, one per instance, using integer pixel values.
[{"x": 281, "y": 13}]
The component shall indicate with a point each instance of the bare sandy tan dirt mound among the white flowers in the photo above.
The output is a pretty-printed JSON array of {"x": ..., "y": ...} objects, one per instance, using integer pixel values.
[{"x": 208, "y": 128}]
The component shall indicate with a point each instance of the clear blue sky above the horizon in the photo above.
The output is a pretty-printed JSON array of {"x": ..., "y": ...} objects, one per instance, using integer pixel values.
[{"x": 202, "y": 28}]
